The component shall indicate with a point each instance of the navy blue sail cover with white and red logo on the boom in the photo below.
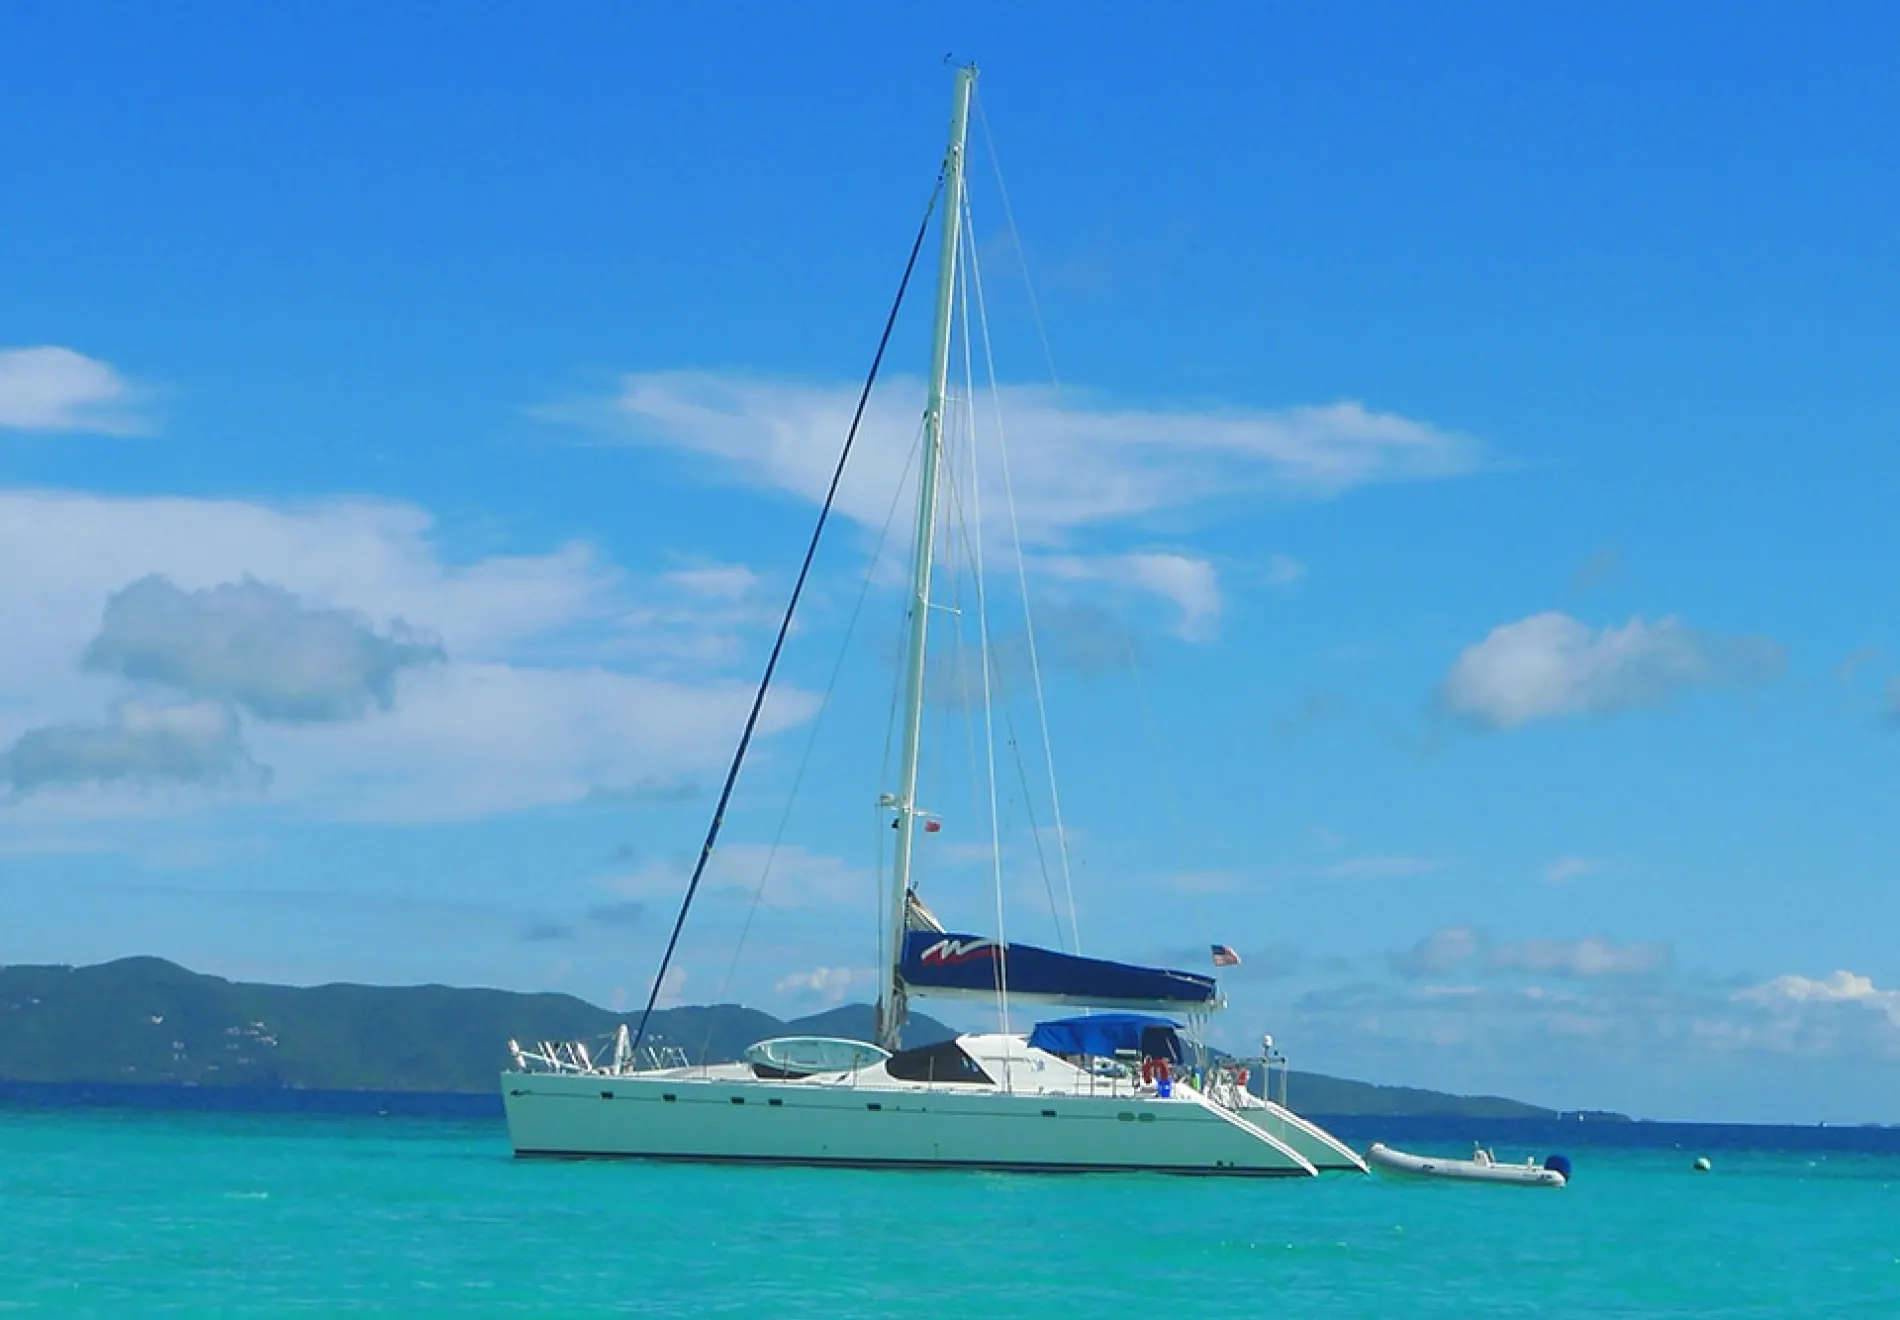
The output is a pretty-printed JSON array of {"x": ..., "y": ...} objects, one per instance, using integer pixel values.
[{"x": 972, "y": 966}]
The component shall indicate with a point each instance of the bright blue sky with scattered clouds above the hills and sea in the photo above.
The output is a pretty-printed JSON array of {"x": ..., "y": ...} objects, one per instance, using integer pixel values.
[{"x": 1477, "y": 423}]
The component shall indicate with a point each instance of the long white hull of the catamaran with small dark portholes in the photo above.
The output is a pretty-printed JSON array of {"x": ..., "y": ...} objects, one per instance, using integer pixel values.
[{"x": 723, "y": 1116}]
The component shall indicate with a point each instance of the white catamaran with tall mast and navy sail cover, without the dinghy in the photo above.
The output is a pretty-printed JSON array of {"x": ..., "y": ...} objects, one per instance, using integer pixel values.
[{"x": 1114, "y": 1091}]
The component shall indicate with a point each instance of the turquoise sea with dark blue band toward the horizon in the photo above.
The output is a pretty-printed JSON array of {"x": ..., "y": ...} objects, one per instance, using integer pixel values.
[{"x": 117, "y": 1205}]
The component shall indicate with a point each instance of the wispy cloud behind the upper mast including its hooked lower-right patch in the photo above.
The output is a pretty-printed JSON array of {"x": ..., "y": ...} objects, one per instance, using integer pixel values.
[{"x": 1078, "y": 468}]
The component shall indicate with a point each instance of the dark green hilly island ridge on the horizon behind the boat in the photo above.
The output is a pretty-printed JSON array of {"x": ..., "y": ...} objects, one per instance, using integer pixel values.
[{"x": 151, "y": 1023}]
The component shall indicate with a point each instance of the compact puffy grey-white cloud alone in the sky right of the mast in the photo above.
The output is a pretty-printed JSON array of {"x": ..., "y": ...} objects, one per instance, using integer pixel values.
[{"x": 1553, "y": 666}]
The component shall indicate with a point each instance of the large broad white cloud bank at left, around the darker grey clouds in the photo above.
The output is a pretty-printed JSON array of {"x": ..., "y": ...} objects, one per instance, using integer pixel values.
[{"x": 560, "y": 677}]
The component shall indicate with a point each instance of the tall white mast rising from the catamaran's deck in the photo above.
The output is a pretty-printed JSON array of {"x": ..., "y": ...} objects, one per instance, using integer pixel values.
[{"x": 892, "y": 1011}]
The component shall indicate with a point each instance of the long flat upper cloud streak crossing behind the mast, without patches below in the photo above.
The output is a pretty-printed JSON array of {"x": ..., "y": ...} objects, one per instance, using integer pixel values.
[{"x": 1073, "y": 462}]
